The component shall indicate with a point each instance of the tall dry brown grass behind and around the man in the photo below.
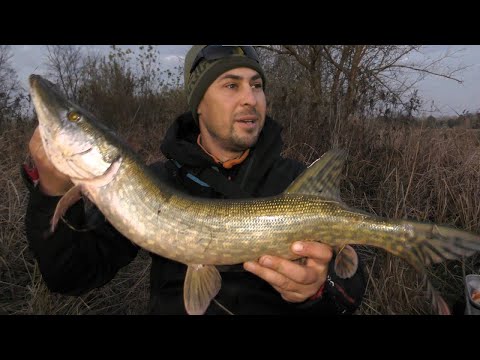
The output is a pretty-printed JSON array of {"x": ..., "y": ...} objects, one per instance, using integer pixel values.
[{"x": 392, "y": 171}]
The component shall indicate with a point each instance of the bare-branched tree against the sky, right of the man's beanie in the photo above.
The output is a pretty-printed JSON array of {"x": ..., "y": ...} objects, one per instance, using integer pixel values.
[{"x": 354, "y": 79}]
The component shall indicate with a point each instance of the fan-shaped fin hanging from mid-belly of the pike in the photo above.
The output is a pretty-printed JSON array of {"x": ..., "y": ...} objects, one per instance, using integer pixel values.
[{"x": 202, "y": 284}]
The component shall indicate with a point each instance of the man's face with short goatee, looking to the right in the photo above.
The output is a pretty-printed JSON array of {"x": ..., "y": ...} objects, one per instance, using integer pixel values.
[{"x": 233, "y": 109}]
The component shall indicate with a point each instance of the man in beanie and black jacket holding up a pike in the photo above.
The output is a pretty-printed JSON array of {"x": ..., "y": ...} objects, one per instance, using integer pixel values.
[{"x": 225, "y": 147}]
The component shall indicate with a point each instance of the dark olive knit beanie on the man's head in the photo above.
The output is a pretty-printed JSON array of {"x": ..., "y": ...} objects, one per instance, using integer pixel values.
[{"x": 207, "y": 71}]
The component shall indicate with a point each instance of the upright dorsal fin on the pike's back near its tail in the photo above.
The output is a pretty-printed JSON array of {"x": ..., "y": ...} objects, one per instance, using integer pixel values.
[{"x": 322, "y": 177}]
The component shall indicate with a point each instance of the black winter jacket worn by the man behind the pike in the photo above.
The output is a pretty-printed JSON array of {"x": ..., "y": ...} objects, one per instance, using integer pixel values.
[{"x": 74, "y": 262}]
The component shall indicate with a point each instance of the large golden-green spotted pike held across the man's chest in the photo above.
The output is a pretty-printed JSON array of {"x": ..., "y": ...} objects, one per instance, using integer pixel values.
[{"x": 203, "y": 233}]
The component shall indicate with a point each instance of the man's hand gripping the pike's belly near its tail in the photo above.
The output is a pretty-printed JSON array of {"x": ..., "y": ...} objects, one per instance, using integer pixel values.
[{"x": 295, "y": 282}]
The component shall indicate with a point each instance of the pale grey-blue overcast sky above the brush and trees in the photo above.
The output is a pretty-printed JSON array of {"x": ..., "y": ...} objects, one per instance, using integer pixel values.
[{"x": 447, "y": 96}]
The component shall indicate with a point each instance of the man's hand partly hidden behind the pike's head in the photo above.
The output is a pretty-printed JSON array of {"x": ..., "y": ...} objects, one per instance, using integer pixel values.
[{"x": 51, "y": 181}]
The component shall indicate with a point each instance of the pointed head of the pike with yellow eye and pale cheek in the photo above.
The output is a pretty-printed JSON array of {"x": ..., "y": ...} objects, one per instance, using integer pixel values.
[{"x": 74, "y": 141}]
